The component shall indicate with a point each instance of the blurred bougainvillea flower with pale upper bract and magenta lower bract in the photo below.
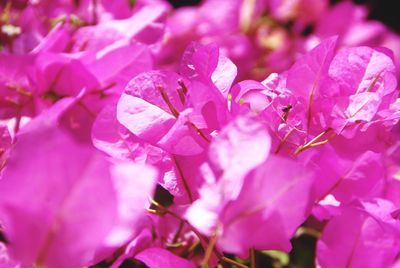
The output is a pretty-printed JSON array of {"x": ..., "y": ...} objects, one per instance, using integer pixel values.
[{"x": 249, "y": 192}]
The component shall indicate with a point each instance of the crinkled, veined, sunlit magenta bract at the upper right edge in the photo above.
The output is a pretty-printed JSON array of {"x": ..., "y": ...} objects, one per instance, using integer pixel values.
[{"x": 366, "y": 84}]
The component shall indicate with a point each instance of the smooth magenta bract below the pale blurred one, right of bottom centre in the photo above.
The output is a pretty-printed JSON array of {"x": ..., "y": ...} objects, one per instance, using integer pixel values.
[{"x": 274, "y": 202}]
